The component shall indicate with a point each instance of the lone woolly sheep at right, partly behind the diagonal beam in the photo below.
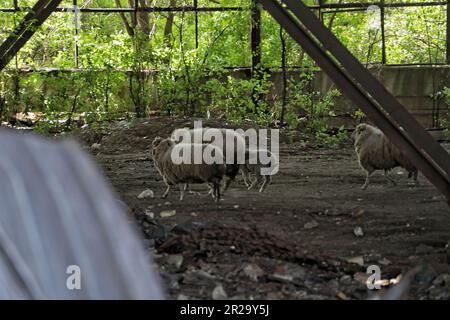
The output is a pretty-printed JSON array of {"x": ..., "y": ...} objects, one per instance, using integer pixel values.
[{"x": 376, "y": 152}]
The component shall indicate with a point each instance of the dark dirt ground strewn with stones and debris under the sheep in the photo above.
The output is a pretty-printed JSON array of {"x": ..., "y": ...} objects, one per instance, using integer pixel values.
[{"x": 296, "y": 240}]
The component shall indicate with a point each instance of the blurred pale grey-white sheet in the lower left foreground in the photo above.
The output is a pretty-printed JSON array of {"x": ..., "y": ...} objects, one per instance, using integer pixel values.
[{"x": 57, "y": 211}]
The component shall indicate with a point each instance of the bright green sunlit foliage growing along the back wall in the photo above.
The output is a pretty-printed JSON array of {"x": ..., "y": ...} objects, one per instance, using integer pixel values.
[{"x": 165, "y": 68}]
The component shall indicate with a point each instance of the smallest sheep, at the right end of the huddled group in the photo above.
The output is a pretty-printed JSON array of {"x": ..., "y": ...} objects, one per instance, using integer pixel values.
[{"x": 254, "y": 165}]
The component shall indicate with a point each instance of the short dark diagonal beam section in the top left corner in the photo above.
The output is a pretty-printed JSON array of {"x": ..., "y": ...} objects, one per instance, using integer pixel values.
[{"x": 25, "y": 30}]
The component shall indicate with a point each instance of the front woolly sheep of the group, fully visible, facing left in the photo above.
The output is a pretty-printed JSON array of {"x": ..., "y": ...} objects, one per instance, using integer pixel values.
[{"x": 183, "y": 173}]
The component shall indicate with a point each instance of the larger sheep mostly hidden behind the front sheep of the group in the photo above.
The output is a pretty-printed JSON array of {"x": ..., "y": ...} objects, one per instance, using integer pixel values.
[{"x": 227, "y": 135}]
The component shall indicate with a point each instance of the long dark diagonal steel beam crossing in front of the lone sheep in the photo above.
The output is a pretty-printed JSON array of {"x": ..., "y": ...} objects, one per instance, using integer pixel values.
[{"x": 364, "y": 89}]
